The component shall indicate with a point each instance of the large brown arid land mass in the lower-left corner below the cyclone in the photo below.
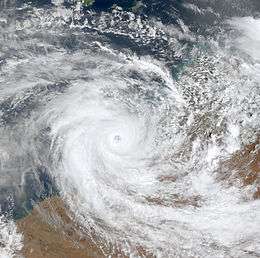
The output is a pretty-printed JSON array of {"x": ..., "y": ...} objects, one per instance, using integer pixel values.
[{"x": 50, "y": 233}]
